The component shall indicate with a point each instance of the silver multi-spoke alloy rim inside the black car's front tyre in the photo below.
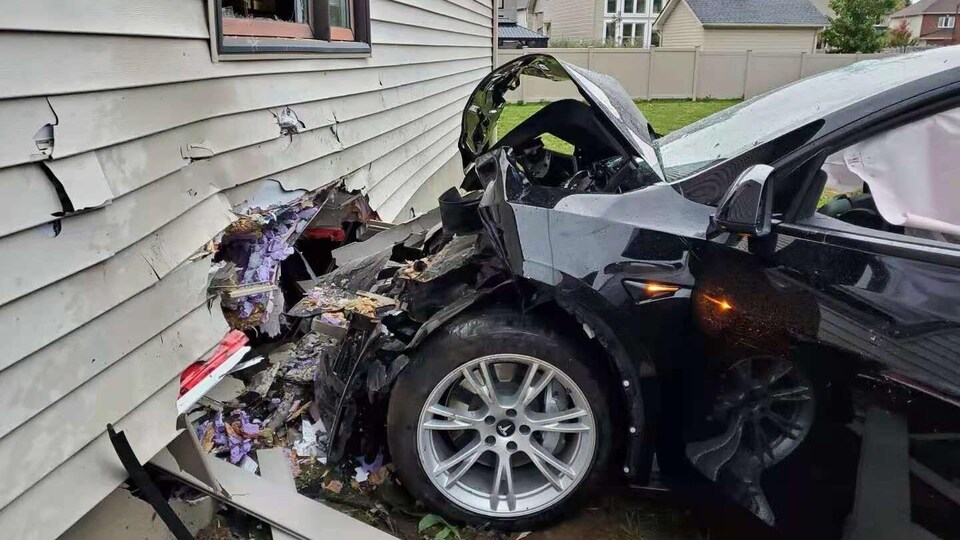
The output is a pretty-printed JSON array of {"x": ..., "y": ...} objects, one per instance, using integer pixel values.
[{"x": 506, "y": 435}]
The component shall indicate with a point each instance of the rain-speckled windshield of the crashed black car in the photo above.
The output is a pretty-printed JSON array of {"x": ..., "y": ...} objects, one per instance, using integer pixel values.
[{"x": 733, "y": 131}]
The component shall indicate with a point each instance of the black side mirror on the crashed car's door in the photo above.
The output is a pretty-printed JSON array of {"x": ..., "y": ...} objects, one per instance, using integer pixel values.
[{"x": 747, "y": 206}]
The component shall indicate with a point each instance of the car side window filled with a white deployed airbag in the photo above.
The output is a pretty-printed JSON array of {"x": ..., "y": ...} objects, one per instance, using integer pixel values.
[{"x": 905, "y": 180}]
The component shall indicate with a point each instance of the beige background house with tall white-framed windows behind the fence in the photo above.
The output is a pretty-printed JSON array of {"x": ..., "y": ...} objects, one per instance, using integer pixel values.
[{"x": 623, "y": 22}]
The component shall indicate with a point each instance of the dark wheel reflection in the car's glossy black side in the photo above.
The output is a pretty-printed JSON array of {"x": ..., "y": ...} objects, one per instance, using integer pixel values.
[{"x": 774, "y": 399}]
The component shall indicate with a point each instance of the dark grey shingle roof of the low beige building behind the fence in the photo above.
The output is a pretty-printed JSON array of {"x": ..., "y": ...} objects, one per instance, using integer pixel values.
[{"x": 758, "y": 12}]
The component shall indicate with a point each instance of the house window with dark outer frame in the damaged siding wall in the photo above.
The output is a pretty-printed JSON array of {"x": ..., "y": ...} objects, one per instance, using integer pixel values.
[{"x": 252, "y": 27}]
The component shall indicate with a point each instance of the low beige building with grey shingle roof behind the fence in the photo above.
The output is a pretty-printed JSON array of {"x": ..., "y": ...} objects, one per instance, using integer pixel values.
[{"x": 759, "y": 25}]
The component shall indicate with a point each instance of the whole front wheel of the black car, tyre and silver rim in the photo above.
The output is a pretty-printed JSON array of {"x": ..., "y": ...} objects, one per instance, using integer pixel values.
[{"x": 499, "y": 420}]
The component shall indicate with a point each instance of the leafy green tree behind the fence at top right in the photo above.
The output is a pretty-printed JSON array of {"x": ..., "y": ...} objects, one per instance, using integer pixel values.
[{"x": 854, "y": 29}]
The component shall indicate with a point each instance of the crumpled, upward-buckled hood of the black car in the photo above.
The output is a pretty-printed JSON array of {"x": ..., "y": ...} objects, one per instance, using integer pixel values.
[{"x": 602, "y": 92}]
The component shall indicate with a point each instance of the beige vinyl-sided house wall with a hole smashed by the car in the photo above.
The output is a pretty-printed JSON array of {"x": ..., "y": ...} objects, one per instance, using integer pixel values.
[{"x": 101, "y": 310}]
